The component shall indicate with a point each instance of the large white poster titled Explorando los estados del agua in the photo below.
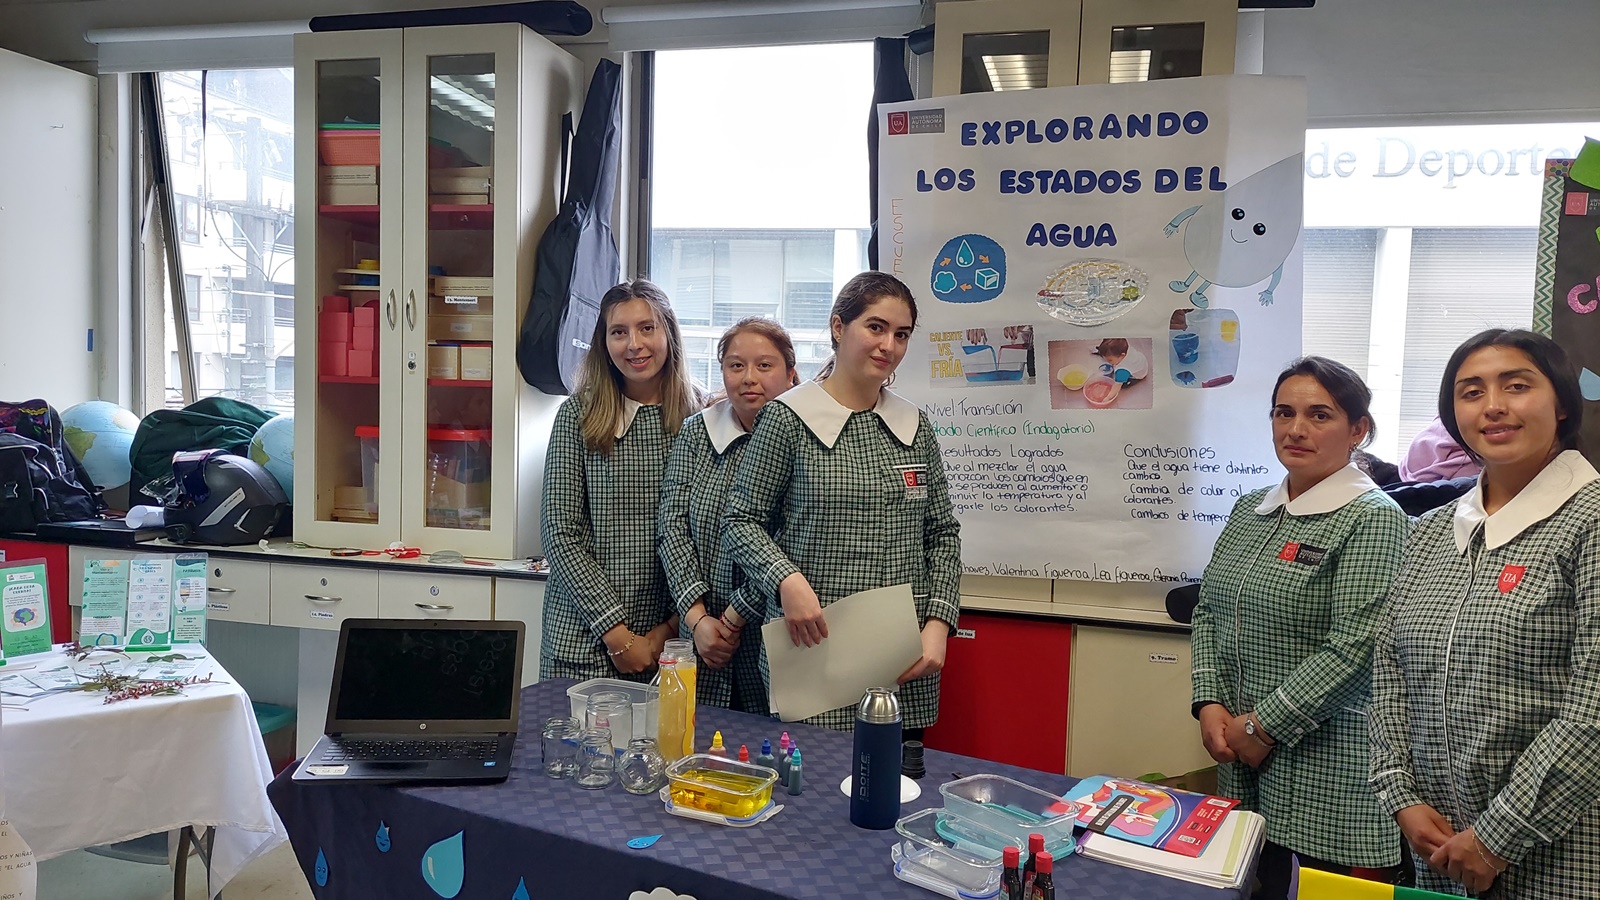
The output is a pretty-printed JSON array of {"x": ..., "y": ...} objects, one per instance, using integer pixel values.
[{"x": 1108, "y": 281}]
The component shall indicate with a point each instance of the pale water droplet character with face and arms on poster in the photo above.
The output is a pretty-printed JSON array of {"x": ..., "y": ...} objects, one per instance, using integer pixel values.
[{"x": 1244, "y": 236}]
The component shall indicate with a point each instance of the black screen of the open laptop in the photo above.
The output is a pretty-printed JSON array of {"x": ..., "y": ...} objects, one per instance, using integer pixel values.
[{"x": 428, "y": 673}]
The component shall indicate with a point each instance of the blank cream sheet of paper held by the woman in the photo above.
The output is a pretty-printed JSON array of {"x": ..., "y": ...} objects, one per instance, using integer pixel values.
[{"x": 871, "y": 640}]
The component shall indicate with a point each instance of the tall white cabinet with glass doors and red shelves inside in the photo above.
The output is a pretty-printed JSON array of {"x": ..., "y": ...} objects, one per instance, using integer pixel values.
[{"x": 428, "y": 166}]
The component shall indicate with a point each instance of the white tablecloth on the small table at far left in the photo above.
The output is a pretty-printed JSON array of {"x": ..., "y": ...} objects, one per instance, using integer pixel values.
[{"x": 82, "y": 773}]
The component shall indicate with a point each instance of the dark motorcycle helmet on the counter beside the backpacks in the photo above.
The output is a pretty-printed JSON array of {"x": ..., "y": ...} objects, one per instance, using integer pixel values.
[{"x": 223, "y": 500}]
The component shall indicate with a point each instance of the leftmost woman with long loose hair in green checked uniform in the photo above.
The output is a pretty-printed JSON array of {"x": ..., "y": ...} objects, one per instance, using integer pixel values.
[{"x": 607, "y": 611}]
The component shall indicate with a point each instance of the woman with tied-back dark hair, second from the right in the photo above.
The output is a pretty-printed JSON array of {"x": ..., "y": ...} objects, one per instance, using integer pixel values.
[{"x": 1284, "y": 633}]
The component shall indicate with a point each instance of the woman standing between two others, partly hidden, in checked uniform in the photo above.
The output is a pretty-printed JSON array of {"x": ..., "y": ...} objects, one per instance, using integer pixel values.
[{"x": 758, "y": 361}]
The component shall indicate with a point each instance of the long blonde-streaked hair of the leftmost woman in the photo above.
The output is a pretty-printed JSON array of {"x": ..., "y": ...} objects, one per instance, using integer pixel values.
[{"x": 601, "y": 384}]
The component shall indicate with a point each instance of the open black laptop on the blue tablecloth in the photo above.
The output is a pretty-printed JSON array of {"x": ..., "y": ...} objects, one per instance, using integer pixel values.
[{"x": 420, "y": 701}]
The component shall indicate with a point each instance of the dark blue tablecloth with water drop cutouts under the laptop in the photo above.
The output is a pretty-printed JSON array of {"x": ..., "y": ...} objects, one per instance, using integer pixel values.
[{"x": 554, "y": 840}]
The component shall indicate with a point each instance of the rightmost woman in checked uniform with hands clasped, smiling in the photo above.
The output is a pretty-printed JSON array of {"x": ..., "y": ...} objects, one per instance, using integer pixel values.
[{"x": 1487, "y": 673}]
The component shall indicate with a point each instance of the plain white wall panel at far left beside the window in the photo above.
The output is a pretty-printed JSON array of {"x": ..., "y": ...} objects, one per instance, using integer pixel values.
[{"x": 50, "y": 126}]
